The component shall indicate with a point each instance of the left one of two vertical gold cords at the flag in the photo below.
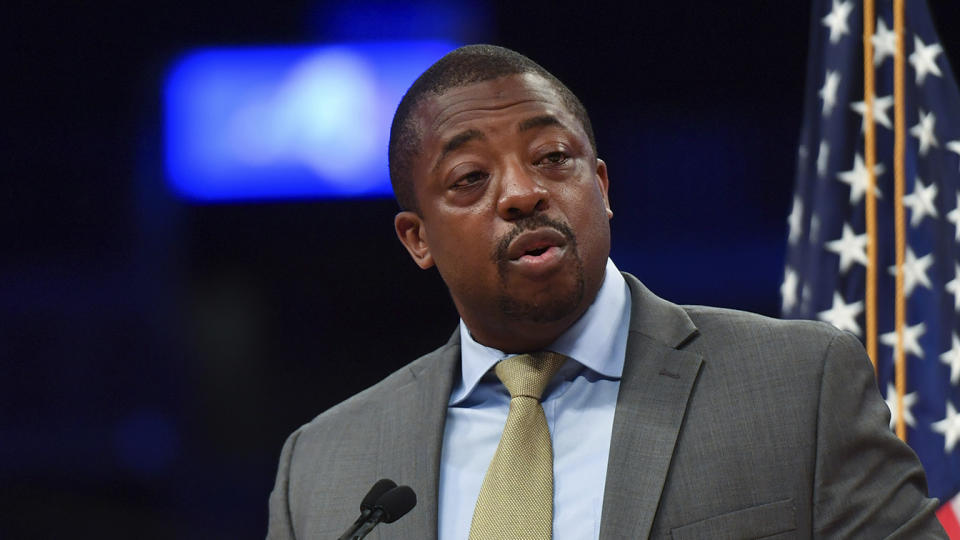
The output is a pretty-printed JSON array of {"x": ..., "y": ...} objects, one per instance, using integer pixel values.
[{"x": 870, "y": 157}]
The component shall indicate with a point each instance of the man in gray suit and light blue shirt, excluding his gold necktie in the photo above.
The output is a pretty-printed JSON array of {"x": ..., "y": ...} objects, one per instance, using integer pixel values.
[{"x": 666, "y": 421}]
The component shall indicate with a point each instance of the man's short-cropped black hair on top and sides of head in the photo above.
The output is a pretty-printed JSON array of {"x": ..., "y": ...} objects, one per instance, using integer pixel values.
[{"x": 460, "y": 67}]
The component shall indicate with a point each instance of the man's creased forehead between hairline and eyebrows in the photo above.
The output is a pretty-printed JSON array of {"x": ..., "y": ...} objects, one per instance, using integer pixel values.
[{"x": 511, "y": 99}]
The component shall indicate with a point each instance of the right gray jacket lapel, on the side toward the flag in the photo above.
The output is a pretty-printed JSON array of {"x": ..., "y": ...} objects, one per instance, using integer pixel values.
[{"x": 654, "y": 390}]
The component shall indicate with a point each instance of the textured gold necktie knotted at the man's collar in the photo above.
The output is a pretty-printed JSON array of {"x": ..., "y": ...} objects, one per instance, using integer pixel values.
[{"x": 516, "y": 500}]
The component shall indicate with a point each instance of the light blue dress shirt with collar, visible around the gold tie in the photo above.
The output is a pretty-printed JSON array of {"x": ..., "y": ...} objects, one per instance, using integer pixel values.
[{"x": 579, "y": 404}]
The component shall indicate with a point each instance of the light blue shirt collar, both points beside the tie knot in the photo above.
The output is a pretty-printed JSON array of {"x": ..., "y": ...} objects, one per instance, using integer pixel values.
[{"x": 597, "y": 340}]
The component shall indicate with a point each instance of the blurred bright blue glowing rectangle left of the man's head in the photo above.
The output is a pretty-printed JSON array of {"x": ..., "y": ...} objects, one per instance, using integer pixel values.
[{"x": 287, "y": 122}]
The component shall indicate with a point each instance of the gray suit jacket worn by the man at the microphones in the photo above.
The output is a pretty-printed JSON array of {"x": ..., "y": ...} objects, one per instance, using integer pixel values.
[{"x": 728, "y": 425}]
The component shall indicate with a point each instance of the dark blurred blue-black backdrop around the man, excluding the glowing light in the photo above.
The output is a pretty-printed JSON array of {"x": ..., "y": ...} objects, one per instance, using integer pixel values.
[{"x": 154, "y": 354}]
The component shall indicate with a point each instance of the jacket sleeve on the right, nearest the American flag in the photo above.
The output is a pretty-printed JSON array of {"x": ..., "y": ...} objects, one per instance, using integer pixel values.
[{"x": 868, "y": 484}]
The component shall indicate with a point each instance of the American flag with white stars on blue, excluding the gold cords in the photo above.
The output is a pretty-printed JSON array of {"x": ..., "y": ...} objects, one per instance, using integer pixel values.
[{"x": 827, "y": 245}]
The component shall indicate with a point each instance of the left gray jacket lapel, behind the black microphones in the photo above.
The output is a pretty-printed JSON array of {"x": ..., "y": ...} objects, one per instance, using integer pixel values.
[{"x": 411, "y": 436}]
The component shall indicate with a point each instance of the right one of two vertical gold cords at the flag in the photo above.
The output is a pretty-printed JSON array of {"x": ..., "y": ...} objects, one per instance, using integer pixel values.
[{"x": 899, "y": 171}]
